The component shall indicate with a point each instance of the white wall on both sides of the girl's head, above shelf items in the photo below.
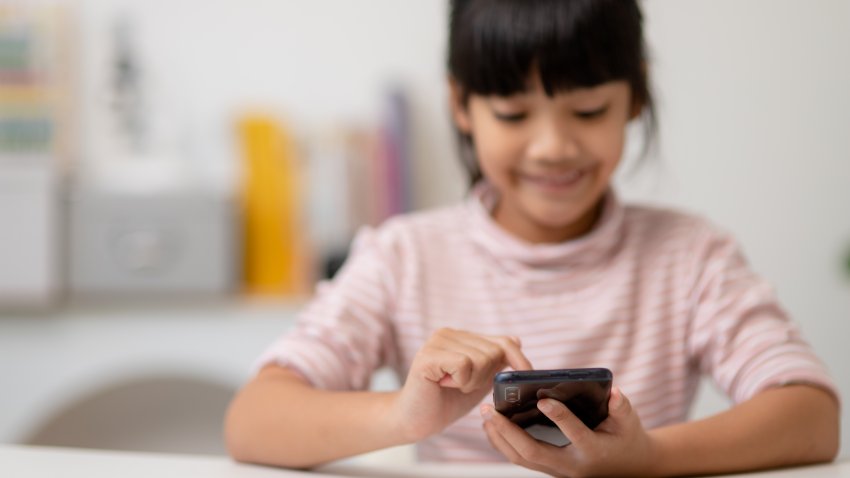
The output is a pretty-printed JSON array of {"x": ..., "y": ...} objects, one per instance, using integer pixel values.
[{"x": 753, "y": 96}]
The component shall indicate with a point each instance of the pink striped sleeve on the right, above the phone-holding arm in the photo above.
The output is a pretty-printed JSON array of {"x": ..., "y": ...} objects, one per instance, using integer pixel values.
[{"x": 739, "y": 333}]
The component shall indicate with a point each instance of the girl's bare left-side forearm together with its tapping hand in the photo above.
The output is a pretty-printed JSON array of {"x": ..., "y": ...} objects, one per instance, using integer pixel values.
[{"x": 280, "y": 419}]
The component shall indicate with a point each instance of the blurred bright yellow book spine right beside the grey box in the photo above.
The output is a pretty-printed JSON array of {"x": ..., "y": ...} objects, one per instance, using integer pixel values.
[{"x": 276, "y": 254}]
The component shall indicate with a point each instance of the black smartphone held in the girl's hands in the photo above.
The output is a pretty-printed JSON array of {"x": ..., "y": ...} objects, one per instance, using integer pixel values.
[{"x": 585, "y": 391}]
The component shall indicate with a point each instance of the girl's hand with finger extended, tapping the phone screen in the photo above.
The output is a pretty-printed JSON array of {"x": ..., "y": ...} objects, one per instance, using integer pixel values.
[{"x": 449, "y": 376}]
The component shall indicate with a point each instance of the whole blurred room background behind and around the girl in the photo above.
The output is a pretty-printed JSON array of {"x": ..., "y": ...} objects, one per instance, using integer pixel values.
[{"x": 176, "y": 175}]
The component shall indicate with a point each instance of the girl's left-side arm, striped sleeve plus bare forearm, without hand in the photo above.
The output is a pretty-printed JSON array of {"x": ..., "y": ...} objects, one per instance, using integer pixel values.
[{"x": 281, "y": 419}]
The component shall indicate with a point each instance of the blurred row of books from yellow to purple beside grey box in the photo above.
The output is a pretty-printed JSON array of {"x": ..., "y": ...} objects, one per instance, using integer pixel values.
[{"x": 300, "y": 213}]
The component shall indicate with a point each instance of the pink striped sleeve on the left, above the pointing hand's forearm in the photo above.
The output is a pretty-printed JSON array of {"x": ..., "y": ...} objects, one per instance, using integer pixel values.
[{"x": 344, "y": 334}]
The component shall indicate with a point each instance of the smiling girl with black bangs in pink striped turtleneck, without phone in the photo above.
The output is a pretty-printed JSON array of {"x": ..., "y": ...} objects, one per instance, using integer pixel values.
[{"x": 542, "y": 267}]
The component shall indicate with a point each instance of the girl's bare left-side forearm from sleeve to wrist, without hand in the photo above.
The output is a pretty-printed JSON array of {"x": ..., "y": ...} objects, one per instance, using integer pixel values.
[{"x": 279, "y": 419}]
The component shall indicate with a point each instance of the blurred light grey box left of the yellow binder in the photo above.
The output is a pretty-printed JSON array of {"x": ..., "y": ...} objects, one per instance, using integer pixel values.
[{"x": 178, "y": 243}]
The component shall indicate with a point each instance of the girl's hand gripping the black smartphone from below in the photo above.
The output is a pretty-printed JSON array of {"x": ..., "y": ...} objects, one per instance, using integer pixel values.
[{"x": 618, "y": 447}]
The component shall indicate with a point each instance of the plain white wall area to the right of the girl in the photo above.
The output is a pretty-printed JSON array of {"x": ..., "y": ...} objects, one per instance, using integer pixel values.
[{"x": 755, "y": 113}]
